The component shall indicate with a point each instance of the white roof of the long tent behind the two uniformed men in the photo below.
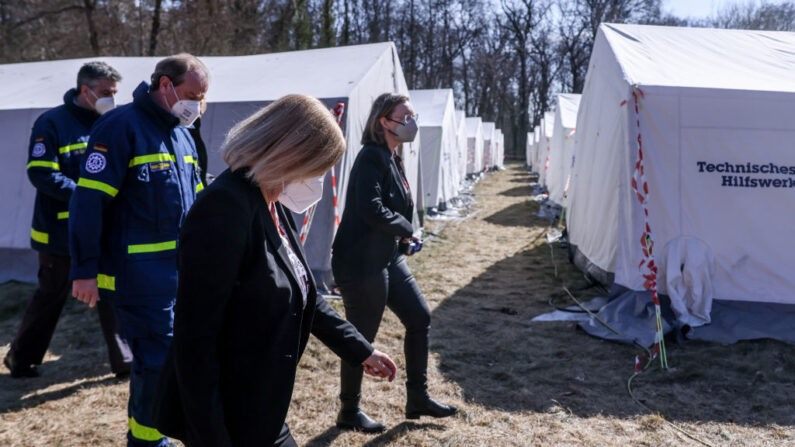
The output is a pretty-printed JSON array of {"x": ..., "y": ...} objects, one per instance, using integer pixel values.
[{"x": 322, "y": 73}]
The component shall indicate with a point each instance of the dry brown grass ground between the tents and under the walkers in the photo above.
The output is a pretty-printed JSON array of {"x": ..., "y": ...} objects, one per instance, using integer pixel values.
[{"x": 517, "y": 383}]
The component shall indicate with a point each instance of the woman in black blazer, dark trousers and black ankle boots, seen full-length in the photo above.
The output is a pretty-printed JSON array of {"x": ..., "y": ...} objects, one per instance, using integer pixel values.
[{"x": 369, "y": 260}]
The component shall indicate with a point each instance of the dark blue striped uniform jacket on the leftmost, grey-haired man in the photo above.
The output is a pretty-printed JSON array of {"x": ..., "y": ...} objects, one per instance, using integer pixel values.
[{"x": 57, "y": 144}]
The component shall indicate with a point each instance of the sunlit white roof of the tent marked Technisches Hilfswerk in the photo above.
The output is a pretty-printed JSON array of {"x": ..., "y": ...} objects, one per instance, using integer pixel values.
[{"x": 703, "y": 57}]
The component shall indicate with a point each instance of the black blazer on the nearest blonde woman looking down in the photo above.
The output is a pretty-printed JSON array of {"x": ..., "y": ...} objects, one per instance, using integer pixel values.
[{"x": 239, "y": 327}]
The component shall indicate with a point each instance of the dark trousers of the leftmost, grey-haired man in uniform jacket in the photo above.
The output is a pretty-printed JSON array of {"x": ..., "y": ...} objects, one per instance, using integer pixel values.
[{"x": 44, "y": 309}]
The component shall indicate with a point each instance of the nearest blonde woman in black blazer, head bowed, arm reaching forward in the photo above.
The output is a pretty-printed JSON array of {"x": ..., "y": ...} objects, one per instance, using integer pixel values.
[{"x": 247, "y": 302}]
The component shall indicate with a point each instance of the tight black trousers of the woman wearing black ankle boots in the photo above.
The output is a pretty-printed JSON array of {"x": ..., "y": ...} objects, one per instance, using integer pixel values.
[{"x": 365, "y": 300}]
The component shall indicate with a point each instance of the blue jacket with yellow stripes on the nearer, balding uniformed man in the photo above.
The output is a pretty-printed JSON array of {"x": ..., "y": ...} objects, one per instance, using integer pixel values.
[{"x": 138, "y": 180}]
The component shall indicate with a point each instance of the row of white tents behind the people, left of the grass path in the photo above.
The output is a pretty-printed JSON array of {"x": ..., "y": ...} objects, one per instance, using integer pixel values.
[{"x": 347, "y": 78}]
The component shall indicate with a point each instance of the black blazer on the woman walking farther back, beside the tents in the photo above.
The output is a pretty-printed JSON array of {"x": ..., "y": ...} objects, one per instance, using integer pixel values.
[{"x": 377, "y": 213}]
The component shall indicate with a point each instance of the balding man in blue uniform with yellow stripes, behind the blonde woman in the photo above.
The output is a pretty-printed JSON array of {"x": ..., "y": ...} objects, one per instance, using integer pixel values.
[{"x": 138, "y": 180}]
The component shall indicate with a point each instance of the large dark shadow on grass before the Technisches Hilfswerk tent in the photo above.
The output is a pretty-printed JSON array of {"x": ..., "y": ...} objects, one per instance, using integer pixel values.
[{"x": 505, "y": 362}]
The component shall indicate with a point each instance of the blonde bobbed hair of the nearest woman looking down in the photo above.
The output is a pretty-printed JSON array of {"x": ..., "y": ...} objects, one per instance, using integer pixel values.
[{"x": 294, "y": 138}]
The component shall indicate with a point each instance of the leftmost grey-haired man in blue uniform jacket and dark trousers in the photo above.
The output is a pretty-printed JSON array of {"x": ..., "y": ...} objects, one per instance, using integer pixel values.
[{"x": 56, "y": 149}]
